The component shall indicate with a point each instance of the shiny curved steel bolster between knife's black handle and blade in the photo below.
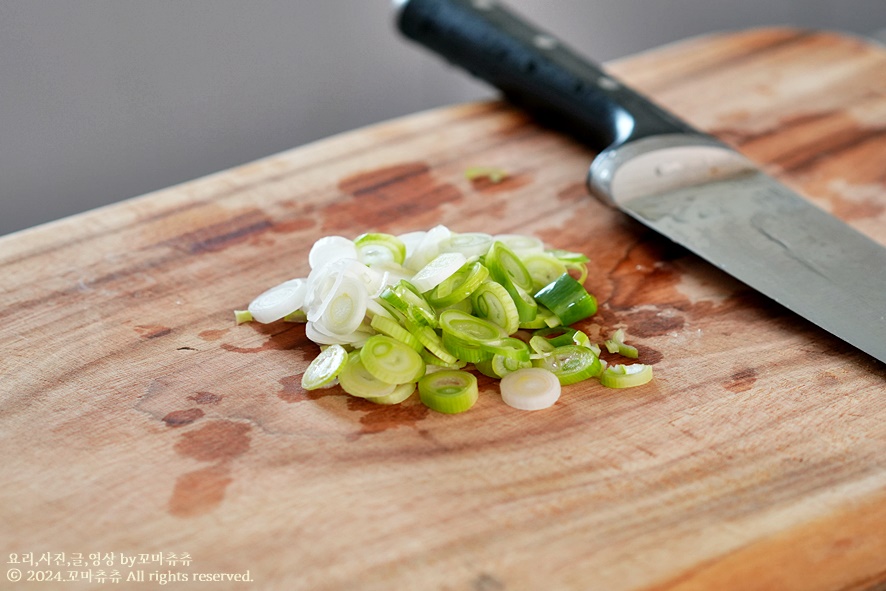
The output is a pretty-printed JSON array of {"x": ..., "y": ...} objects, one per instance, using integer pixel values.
[{"x": 661, "y": 163}]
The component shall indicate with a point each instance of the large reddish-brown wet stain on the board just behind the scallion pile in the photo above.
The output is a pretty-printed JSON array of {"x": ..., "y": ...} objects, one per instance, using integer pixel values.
[{"x": 386, "y": 194}]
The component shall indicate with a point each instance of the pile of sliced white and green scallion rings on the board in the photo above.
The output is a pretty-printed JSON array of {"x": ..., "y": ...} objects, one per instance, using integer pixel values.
[{"x": 393, "y": 314}]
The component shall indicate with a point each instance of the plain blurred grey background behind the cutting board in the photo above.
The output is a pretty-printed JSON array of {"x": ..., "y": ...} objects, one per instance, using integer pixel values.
[{"x": 102, "y": 100}]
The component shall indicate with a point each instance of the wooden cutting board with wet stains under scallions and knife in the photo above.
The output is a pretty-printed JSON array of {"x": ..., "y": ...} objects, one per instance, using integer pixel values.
[{"x": 139, "y": 421}]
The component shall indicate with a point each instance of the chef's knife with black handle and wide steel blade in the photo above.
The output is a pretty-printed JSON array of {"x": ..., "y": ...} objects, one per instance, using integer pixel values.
[{"x": 679, "y": 181}]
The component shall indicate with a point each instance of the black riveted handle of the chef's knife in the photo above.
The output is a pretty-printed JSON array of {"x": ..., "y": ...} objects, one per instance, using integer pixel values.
[{"x": 535, "y": 70}]
